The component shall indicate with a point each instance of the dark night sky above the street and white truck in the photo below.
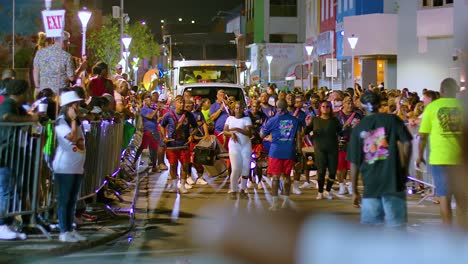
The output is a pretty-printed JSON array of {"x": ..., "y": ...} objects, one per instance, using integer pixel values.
[{"x": 152, "y": 11}]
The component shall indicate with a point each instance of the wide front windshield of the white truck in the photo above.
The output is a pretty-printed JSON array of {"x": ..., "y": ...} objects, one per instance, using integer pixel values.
[{"x": 206, "y": 74}]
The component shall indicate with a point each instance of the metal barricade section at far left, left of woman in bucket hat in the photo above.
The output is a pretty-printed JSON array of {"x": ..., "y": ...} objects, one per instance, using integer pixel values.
[{"x": 21, "y": 158}]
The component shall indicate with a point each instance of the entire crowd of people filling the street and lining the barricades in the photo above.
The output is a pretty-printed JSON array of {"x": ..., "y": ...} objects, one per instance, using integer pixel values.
[{"x": 364, "y": 131}]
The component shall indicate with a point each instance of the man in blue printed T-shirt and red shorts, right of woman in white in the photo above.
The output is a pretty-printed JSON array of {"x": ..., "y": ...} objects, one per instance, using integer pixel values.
[{"x": 284, "y": 129}]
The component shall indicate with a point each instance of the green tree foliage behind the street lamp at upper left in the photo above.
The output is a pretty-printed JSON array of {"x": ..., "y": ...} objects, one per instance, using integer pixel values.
[{"x": 104, "y": 43}]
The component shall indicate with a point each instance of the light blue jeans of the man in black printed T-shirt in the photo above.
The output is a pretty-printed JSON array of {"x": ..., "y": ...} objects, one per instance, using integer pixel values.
[{"x": 388, "y": 209}]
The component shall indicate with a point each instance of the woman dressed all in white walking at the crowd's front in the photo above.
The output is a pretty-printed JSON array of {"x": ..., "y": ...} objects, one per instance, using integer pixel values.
[{"x": 239, "y": 129}]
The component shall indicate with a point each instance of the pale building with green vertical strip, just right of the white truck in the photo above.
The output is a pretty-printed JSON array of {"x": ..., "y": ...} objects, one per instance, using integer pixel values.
[{"x": 276, "y": 28}]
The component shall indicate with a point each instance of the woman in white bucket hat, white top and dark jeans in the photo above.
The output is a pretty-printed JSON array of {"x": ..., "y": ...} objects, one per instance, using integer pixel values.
[{"x": 68, "y": 164}]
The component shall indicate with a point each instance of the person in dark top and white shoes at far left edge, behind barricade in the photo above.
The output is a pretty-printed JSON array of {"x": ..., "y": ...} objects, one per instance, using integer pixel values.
[{"x": 11, "y": 110}]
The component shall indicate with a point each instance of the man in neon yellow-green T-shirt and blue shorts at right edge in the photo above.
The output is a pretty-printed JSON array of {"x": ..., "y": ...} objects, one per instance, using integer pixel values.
[{"x": 442, "y": 124}]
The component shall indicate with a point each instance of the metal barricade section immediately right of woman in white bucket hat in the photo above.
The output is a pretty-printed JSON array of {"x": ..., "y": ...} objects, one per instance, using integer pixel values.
[{"x": 103, "y": 150}]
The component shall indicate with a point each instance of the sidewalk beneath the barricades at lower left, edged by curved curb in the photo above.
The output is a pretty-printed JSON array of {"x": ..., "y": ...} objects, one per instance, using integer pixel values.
[{"x": 107, "y": 227}]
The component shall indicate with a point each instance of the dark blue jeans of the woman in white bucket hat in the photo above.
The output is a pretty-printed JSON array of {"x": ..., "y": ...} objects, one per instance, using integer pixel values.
[{"x": 68, "y": 187}]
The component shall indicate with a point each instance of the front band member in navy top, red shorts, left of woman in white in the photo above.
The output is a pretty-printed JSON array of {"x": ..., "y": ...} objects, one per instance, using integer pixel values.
[{"x": 176, "y": 126}]
